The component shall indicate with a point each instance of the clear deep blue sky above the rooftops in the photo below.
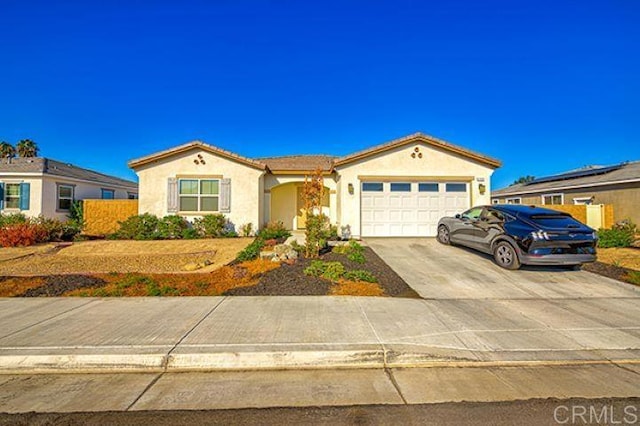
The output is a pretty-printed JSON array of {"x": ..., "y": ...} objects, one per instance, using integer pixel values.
[{"x": 545, "y": 86}]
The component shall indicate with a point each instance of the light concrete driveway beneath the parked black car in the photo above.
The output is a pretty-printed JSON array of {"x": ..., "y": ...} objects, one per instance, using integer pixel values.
[{"x": 437, "y": 271}]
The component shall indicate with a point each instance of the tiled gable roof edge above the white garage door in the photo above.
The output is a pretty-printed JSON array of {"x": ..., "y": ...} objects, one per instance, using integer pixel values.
[{"x": 418, "y": 137}]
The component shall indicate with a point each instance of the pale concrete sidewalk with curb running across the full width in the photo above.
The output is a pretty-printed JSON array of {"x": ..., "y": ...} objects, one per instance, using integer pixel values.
[{"x": 234, "y": 333}]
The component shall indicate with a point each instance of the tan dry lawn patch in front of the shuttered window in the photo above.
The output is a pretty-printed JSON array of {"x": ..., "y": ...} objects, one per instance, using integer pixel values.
[{"x": 96, "y": 257}]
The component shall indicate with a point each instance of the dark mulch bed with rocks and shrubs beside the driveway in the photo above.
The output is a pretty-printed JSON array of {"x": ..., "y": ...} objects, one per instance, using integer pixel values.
[{"x": 289, "y": 280}]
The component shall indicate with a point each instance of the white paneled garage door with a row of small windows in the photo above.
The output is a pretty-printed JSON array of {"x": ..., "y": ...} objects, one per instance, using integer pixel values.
[{"x": 409, "y": 209}]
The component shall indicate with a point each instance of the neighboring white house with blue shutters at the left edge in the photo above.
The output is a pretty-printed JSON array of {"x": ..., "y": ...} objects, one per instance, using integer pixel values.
[{"x": 41, "y": 186}]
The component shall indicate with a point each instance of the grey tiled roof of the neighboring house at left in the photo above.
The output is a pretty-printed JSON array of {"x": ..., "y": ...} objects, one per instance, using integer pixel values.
[{"x": 48, "y": 166}]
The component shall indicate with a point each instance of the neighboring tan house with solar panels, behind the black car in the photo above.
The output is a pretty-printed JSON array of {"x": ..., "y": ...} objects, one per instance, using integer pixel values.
[{"x": 618, "y": 185}]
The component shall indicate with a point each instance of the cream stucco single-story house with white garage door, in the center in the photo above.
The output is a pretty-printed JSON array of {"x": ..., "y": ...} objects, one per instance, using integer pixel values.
[{"x": 400, "y": 188}]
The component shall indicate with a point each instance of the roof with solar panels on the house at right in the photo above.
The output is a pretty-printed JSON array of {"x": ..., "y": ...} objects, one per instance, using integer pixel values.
[{"x": 587, "y": 177}]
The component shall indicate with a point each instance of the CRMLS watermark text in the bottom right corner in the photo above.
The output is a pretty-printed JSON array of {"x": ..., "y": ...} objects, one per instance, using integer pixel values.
[{"x": 596, "y": 415}]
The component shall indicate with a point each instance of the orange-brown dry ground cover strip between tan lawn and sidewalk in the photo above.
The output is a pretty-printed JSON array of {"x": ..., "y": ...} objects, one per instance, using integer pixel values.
[{"x": 212, "y": 284}]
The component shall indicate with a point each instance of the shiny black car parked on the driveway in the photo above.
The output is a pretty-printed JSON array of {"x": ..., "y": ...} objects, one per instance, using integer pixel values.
[{"x": 518, "y": 234}]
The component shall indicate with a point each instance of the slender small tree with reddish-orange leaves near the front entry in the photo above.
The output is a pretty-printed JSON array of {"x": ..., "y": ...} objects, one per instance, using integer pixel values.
[{"x": 317, "y": 224}]
